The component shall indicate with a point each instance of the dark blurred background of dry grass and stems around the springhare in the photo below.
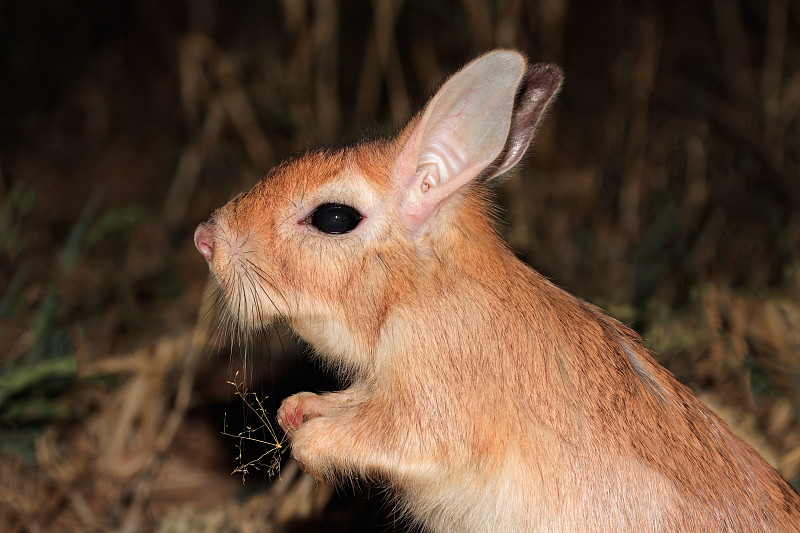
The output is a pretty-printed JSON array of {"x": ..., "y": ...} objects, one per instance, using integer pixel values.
[{"x": 664, "y": 186}]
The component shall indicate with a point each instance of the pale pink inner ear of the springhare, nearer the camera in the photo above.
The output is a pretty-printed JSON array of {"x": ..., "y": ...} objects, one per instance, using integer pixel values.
[{"x": 462, "y": 130}]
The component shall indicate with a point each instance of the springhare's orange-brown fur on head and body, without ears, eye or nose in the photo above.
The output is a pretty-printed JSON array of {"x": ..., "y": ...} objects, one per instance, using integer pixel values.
[{"x": 484, "y": 396}]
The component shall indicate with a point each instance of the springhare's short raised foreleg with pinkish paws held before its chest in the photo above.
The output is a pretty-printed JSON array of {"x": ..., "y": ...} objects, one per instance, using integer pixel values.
[{"x": 346, "y": 434}]
